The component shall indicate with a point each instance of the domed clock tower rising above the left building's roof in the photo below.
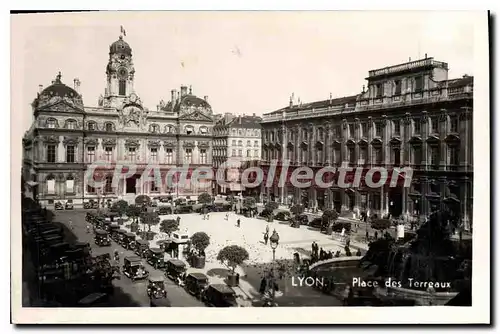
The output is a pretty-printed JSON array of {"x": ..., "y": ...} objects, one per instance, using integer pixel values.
[{"x": 120, "y": 74}]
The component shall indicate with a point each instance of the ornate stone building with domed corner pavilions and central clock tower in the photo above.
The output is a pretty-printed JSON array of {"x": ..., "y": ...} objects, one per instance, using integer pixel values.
[{"x": 67, "y": 137}]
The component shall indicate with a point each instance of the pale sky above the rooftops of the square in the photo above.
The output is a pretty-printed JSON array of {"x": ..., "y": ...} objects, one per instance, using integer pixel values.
[{"x": 245, "y": 62}]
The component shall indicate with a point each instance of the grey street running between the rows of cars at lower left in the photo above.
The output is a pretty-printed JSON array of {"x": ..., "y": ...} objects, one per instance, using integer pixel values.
[{"x": 127, "y": 293}]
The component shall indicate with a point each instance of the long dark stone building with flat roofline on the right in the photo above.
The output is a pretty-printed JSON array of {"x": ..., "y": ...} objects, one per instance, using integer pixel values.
[{"x": 411, "y": 115}]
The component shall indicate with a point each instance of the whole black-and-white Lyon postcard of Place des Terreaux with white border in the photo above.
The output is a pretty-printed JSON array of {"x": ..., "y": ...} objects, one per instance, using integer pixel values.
[{"x": 313, "y": 163}]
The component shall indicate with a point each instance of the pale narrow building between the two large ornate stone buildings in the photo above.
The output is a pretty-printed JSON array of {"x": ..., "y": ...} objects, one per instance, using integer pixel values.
[{"x": 237, "y": 145}]
